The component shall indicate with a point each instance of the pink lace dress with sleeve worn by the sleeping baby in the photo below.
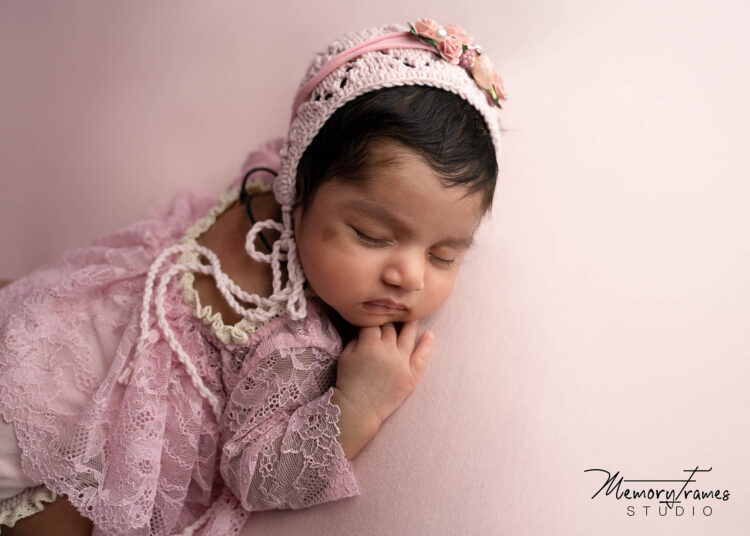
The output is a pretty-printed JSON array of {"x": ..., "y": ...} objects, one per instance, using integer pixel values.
[{"x": 148, "y": 456}]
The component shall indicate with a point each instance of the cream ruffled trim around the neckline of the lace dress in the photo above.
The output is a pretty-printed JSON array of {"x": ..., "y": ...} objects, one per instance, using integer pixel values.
[{"x": 238, "y": 333}]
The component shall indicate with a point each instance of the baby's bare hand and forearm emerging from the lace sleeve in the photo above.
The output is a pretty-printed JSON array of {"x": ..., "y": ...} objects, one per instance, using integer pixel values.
[{"x": 376, "y": 372}]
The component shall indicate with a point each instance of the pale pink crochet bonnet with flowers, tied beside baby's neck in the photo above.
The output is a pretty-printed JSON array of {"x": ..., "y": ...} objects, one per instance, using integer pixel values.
[{"x": 359, "y": 62}]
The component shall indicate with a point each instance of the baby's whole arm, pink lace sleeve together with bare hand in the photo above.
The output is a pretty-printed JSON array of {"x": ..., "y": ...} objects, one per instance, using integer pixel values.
[{"x": 286, "y": 445}]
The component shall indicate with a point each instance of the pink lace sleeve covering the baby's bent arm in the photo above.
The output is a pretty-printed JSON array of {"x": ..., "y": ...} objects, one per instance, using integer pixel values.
[{"x": 282, "y": 448}]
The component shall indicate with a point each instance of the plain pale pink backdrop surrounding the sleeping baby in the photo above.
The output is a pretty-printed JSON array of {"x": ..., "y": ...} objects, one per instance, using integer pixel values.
[{"x": 602, "y": 321}]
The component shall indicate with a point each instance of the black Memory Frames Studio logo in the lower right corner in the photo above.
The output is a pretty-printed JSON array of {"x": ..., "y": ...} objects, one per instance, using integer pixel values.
[{"x": 646, "y": 497}]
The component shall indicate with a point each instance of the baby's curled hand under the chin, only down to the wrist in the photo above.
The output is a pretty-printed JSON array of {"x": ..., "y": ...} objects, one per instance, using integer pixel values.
[{"x": 380, "y": 368}]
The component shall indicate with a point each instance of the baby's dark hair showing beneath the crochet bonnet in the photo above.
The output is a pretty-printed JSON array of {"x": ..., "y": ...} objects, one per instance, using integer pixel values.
[{"x": 447, "y": 131}]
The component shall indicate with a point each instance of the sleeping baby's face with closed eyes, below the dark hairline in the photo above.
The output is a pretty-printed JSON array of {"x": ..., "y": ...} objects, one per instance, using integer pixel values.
[{"x": 386, "y": 249}]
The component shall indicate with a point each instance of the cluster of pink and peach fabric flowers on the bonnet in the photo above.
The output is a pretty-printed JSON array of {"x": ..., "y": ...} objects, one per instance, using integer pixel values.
[{"x": 456, "y": 47}]
